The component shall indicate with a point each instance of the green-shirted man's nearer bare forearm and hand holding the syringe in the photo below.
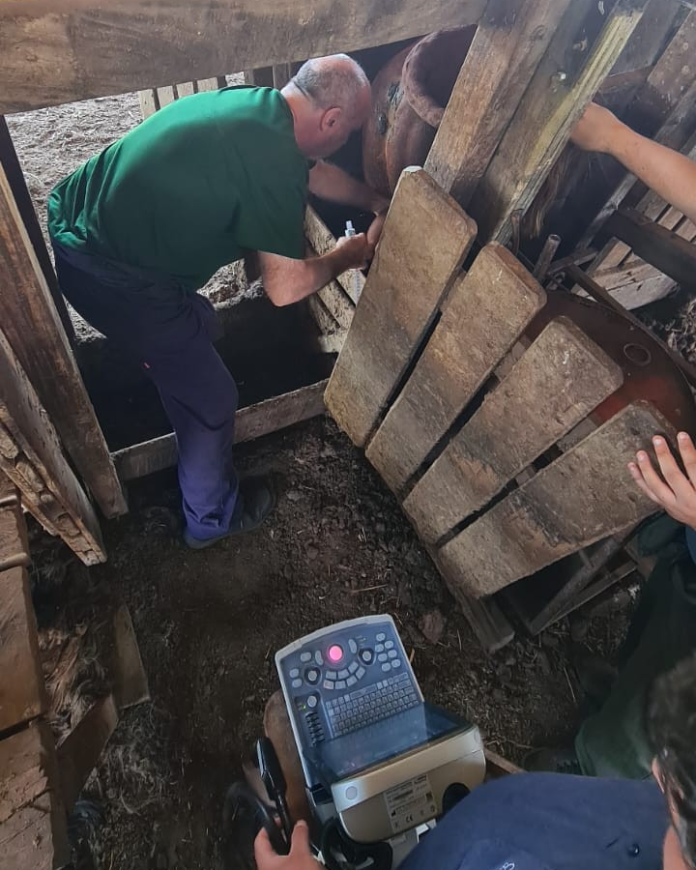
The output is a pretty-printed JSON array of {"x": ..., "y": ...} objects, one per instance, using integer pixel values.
[{"x": 286, "y": 281}]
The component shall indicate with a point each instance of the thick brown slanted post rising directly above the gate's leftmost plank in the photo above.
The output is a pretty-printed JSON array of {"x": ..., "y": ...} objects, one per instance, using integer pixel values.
[{"x": 507, "y": 48}]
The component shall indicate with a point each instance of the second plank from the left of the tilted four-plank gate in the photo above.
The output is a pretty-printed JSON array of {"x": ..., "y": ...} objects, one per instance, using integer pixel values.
[{"x": 483, "y": 316}]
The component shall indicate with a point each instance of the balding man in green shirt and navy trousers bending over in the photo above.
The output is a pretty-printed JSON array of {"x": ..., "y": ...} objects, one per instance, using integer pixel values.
[{"x": 139, "y": 228}]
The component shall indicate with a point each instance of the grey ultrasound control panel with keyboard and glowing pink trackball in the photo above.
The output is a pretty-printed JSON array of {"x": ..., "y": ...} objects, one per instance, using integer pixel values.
[{"x": 344, "y": 678}]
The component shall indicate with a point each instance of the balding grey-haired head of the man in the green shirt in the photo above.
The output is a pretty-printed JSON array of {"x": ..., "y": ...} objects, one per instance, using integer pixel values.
[{"x": 330, "y": 98}]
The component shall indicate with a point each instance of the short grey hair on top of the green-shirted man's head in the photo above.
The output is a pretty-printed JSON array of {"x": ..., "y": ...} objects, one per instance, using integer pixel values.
[{"x": 336, "y": 80}]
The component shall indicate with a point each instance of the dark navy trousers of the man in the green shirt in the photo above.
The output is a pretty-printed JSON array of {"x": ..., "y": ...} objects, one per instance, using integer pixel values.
[{"x": 170, "y": 332}]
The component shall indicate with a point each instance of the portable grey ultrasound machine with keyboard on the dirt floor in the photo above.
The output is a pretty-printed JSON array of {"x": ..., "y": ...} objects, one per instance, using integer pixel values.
[{"x": 380, "y": 764}]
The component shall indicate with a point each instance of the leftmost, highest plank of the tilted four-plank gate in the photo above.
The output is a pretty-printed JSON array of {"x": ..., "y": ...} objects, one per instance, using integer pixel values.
[{"x": 425, "y": 239}]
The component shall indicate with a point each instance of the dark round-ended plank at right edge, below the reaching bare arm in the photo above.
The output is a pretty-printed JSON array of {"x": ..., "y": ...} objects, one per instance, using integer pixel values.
[{"x": 667, "y": 251}]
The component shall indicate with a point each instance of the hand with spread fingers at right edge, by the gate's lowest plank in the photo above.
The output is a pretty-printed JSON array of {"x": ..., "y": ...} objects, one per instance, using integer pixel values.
[{"x": 676, "y": 493}]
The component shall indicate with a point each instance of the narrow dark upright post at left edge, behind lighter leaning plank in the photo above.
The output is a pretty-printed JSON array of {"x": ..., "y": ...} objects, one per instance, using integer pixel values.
[{"x": 15, "y": 176}]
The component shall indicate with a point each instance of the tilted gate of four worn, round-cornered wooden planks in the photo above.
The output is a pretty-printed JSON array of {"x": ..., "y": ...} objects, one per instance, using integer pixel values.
[{"x": 453, "y": 408}]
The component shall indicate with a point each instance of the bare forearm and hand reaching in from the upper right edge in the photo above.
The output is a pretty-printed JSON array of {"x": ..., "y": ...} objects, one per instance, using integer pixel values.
[{"x": 667, "y": 172}]
